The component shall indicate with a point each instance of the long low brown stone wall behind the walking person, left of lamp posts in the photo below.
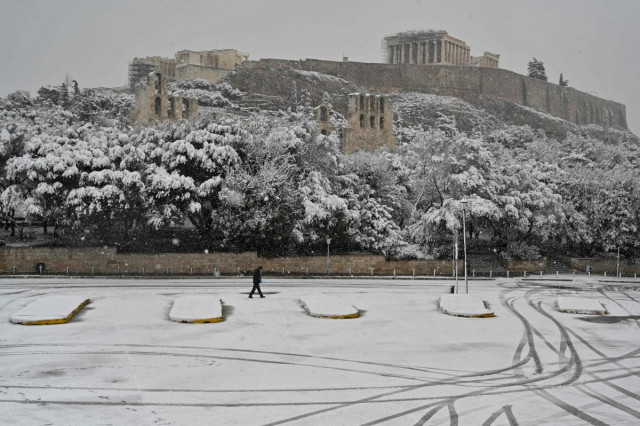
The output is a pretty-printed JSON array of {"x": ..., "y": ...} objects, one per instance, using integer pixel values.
[{"x": 107, "y": 261}]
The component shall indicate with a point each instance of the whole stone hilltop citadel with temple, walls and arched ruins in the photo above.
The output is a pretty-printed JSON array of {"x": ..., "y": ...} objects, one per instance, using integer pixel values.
[{"x": 416, "y": 61}]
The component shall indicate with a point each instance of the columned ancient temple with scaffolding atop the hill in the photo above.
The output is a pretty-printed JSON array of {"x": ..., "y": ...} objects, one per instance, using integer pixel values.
[{"x": 432, "y": 47}]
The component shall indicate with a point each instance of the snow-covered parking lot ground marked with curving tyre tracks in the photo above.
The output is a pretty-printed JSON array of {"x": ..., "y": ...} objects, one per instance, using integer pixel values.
[{"x": 402, "y": 362}]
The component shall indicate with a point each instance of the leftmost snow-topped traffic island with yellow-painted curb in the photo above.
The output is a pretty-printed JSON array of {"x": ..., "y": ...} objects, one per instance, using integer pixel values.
[{"x": 50, "y": 310}]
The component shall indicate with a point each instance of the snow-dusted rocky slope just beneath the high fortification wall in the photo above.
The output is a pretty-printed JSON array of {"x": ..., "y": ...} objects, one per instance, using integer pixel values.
[{"x": 273, "y": 88}]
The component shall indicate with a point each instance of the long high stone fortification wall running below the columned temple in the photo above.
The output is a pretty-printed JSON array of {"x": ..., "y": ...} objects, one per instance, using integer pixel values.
[{"x": 468, "y": 83}]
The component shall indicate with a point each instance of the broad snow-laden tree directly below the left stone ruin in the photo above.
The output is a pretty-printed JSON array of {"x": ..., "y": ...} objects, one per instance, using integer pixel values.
[{"x": 187, "y": 167}]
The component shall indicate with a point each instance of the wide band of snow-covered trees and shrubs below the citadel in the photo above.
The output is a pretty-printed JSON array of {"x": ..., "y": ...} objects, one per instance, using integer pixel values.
[{"x": 273, "y": 182}]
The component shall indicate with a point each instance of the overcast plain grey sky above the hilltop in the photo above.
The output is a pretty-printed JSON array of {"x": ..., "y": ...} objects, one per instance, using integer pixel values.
[{"x": 593, "y": 43}]
